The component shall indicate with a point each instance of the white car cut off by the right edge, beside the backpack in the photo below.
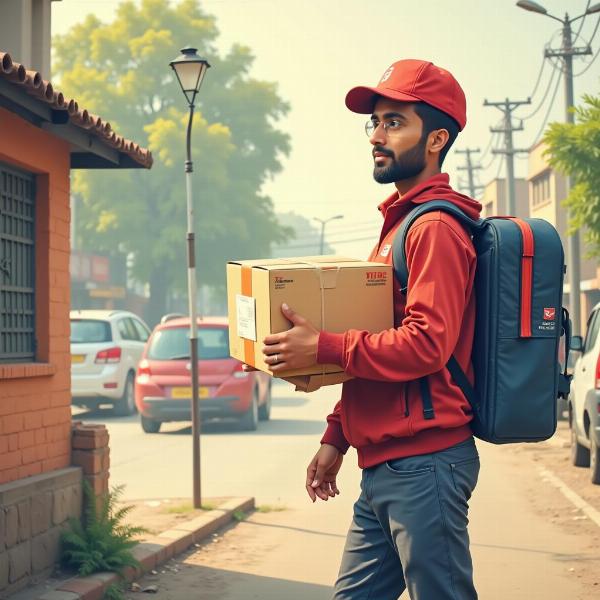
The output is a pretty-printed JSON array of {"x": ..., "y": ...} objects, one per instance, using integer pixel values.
[{"x": 584, "y": 400}]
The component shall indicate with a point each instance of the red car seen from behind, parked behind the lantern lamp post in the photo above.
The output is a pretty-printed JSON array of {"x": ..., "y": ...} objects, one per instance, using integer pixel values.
[{"x": 163, "y": 388}]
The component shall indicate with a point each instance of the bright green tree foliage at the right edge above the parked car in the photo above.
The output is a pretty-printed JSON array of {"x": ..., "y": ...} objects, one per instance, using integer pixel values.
[{"x": 574, "y": 150}]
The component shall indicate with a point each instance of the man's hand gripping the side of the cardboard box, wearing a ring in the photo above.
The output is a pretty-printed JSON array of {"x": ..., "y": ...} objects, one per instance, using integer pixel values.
[{"x": 295, "y": 348}]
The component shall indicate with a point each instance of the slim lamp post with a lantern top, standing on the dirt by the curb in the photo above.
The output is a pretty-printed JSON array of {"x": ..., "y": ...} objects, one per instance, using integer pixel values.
[{"x": 190, "y": 70}]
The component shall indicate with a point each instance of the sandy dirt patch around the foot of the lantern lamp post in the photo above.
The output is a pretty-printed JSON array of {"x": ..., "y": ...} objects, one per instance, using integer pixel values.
[{"x": 160, "y": 514}]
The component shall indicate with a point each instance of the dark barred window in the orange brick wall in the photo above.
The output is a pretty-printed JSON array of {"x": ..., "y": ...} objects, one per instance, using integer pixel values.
[{"x": 17, "y": 265}]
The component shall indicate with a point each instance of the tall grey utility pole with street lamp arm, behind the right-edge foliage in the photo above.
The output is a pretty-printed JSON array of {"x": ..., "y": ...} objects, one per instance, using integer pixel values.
[{"x": 566, "y": 52}]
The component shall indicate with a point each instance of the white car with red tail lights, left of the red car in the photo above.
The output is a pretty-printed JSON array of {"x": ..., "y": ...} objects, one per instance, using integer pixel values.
[{"x": 106, "y": 347}]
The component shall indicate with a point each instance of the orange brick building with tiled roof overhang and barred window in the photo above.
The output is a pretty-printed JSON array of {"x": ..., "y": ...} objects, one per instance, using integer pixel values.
[{"x": 43, "y": 136}]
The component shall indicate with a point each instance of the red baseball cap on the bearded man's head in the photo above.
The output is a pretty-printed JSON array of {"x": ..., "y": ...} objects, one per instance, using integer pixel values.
[{"x": 413, "y": 80}]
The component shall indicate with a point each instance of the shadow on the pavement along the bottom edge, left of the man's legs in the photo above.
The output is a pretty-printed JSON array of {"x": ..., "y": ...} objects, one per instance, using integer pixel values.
[{"x": 197, "y": 581}]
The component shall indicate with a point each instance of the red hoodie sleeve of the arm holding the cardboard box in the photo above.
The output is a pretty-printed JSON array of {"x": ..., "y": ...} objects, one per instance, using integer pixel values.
[{"x": 441, "y": 268}]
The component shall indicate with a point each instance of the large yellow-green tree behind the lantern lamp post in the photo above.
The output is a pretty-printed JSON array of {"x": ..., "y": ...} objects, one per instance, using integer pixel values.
[{"x": 120, "y": 71}]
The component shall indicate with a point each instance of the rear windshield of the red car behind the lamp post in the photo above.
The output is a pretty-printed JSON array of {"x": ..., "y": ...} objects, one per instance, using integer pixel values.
[{"x": 174, "y": 343}]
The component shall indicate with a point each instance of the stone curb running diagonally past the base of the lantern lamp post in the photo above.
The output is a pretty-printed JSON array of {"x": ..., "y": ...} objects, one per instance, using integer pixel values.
[{"x": 153, "y": 552}]
